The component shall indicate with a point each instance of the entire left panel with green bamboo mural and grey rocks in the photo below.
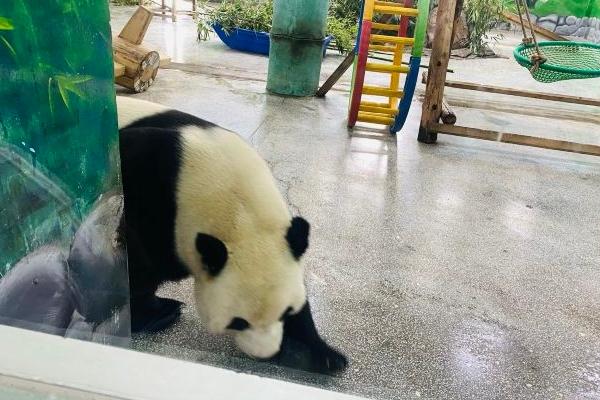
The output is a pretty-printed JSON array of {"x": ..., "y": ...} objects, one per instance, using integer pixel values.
[{"x": 63, "y": 264}]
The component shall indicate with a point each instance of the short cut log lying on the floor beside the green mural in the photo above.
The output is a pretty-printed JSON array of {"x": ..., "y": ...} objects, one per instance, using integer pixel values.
[{"x": 141, "y": 65}]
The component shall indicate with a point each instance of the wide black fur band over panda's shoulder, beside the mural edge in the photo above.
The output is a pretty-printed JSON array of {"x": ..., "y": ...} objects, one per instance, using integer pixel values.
[{"x": 150, "y": 164}]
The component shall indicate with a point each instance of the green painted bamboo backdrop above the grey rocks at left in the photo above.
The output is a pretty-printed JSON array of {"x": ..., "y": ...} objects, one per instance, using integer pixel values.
[{"x": 58, "y": 131}]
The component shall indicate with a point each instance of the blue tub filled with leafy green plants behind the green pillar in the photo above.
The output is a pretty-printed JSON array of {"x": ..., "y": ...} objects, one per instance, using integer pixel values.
[{"x": 245, "y": 24}]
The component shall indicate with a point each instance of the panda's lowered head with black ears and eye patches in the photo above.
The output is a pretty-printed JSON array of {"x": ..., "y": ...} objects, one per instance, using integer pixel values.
[{"x": 252, "y": 283}]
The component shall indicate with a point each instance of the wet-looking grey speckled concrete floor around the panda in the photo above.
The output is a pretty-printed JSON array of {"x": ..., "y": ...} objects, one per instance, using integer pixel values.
[{"x": 465, "y": 269}]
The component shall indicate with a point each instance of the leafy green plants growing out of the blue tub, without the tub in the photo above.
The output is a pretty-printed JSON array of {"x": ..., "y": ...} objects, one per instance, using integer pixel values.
[{"x": 257, "y": 15}]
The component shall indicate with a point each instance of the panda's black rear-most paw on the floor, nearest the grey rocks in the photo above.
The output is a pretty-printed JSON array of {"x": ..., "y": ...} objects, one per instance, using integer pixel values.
[{"x": 150, "y": 313}]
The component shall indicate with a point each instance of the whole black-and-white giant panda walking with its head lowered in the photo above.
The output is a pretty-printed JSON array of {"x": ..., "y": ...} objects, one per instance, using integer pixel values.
[{"x": 200, "y": 201}]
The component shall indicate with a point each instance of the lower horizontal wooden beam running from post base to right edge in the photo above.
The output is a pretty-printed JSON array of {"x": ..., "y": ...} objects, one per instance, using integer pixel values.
[{"x": 514, "y": 138}]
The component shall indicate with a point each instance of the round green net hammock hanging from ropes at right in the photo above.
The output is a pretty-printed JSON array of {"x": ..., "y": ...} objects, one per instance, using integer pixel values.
[{"x": 564, "y": 60}]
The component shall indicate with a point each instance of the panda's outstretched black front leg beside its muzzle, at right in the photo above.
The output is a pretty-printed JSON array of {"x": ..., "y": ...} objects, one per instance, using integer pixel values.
[{"x": 322, "y": 357}]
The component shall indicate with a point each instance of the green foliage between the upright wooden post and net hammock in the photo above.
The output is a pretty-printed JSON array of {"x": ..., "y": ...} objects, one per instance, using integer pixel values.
[{"x": 481, "y": 16}]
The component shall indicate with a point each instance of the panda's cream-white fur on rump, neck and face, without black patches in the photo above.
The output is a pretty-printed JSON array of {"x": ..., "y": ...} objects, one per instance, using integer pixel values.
[{"x": 225, "y": 189}]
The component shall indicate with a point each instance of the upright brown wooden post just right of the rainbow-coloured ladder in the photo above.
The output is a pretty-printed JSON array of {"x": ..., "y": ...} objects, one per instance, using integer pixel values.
[{"x": 438, "y": 63}]
